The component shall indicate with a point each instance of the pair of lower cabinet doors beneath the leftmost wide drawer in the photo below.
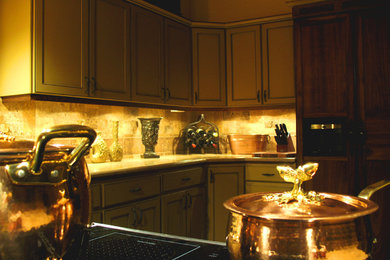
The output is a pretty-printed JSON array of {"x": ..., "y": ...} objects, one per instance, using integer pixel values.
[{"x": 144, "y": 215}]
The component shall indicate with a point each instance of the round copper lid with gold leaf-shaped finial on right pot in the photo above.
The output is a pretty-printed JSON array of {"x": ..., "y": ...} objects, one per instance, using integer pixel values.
[{"x": 298, "y": 205}]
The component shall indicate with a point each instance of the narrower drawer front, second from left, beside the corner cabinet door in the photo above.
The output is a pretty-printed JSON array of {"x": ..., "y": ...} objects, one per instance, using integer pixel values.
[{"x": 183, "y": 178}]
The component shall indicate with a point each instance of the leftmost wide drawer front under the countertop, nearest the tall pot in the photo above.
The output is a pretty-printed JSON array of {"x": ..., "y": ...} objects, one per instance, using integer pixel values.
[{"x": 131, "y": 189}]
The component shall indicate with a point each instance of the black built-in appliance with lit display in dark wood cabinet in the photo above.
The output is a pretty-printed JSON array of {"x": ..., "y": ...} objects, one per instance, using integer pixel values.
[{"x": 324, "y": 136}]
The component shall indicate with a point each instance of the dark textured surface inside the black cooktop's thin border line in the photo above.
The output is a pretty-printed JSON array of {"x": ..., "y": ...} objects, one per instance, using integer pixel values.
[{"x": 128, "y": 246}]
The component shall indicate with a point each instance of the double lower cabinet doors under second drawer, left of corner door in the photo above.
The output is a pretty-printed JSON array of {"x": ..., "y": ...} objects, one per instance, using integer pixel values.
[{"x": 183, "y": 213}]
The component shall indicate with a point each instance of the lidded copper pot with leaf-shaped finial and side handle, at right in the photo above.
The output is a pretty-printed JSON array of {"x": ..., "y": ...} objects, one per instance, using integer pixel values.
[{"x": 299, "y": 225}]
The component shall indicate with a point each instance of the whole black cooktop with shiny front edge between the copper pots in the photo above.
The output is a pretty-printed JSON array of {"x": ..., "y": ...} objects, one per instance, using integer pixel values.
[{"x": 112, "y": 242}]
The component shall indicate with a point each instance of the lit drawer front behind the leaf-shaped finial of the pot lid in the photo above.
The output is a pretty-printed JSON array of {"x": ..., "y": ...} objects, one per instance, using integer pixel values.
[{"x": 264, "y": 172}]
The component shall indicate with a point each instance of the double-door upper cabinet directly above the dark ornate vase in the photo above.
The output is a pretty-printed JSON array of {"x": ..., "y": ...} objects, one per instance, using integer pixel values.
[{"x": 161, "y": 59}]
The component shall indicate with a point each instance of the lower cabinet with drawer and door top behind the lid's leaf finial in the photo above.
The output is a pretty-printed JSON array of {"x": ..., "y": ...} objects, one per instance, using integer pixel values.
[{"x": 263, "y": 177}]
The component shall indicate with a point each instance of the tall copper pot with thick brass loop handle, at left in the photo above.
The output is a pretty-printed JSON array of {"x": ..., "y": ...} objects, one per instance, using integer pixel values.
[{"x": 44, "y": 194}]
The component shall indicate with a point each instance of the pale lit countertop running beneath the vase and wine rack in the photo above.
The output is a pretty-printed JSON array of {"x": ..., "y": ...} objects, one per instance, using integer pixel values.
[{"x": 137, "y": 164}]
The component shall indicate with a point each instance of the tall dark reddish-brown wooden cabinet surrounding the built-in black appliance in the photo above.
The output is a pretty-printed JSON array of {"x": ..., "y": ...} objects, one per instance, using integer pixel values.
[{"x": 343, "y": 73}]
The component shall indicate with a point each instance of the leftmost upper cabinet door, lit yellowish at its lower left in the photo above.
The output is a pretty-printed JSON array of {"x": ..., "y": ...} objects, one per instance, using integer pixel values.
[{"x": 62, "y": 47}]
